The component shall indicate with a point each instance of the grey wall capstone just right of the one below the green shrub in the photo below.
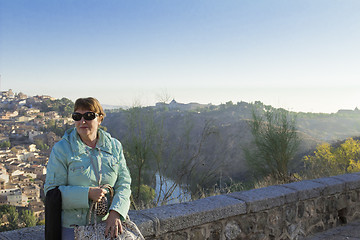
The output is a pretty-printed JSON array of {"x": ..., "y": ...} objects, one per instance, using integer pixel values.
[{"x": 306, "y": 189}]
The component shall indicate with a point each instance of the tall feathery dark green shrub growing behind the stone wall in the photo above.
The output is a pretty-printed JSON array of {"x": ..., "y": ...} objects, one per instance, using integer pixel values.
[{"x": 275, "y": 142}]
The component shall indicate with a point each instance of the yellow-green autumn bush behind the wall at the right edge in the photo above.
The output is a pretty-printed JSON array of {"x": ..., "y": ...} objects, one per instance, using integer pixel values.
[{"x": 330, "y": 161}]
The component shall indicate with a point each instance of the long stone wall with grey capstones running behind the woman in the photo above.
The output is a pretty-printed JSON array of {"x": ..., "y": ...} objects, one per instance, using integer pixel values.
[{"x": 289, "y": 211}]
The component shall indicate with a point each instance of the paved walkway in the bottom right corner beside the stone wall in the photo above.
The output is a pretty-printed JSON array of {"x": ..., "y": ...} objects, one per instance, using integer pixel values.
[{"x": 350, "y": 231}]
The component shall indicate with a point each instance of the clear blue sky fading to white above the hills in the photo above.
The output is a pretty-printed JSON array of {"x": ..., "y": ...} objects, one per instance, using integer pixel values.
[{"x": 301, "y": 55}]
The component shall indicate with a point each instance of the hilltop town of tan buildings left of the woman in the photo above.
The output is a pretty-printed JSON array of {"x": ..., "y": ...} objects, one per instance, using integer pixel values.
[{"x": 29, "y": 128}]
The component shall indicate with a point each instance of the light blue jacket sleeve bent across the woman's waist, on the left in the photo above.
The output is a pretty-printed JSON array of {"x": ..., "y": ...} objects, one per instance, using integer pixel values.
[{"x": 73, "y": 197}]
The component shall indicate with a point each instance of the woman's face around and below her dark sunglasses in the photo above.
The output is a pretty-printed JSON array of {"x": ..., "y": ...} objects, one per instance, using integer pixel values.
[{"x": 87, "y": 128}]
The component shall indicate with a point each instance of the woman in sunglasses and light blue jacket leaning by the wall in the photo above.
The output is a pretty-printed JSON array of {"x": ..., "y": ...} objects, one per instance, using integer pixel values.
[{"x": 85, "y": 158}]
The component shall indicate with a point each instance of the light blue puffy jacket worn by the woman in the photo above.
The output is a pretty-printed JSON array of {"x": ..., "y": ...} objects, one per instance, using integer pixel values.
[{"x": 70, "y": 168}]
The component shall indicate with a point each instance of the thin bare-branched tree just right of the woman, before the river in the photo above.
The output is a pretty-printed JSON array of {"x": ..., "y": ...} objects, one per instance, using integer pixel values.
[{"x": 156, "y": 154}]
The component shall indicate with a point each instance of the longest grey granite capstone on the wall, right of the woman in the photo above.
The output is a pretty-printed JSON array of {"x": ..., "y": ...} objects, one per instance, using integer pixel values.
[{"x": 175, "y": 217}]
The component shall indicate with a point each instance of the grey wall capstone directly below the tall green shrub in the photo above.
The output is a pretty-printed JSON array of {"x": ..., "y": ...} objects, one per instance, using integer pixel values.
[{"x": 265, "y": 198}]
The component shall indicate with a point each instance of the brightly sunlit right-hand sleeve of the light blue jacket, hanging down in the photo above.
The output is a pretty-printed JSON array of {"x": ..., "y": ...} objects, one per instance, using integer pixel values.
[{"x": 122, "y": 191}]
